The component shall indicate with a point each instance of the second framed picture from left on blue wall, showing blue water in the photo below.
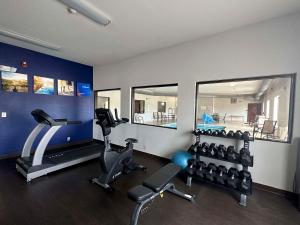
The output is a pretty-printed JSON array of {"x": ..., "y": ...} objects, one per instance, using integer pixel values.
[{"x": 43, "y": 85}]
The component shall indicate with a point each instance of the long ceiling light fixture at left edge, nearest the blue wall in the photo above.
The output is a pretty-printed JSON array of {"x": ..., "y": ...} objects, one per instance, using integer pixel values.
[{"x": 28, "y": 39}]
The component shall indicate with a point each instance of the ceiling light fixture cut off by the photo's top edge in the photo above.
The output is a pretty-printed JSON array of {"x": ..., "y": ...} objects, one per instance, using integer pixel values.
[{"x": 87, "y": 9}]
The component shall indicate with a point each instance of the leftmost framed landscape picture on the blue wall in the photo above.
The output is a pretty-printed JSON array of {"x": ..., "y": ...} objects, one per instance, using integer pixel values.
[{"x": 14, "y": 82}]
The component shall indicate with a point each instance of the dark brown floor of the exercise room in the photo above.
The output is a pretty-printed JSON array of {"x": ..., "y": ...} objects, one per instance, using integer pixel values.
[{"x": 67, "y": 197}]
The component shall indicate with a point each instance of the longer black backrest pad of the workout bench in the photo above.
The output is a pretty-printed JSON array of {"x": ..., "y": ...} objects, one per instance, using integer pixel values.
[{"x": 162, "y": 177}]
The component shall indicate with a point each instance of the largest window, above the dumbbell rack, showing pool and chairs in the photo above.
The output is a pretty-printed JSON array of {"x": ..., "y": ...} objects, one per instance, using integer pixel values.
[{"x": 261, "y": 106}]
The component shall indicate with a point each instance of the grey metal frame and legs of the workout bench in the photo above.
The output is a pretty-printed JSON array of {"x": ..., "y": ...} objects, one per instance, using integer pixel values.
[{"x": 170, "y": 187}]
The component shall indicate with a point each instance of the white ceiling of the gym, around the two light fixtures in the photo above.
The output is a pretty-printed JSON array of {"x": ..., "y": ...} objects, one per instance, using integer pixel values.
[{"x": 138, "y": 26}]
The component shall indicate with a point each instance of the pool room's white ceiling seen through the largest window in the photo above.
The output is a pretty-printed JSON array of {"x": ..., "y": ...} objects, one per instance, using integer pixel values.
[{"x": 231, "y": 88}]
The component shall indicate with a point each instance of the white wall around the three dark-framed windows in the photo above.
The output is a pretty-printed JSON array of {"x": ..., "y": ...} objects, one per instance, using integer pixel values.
[{"x": 272, "y": 47}]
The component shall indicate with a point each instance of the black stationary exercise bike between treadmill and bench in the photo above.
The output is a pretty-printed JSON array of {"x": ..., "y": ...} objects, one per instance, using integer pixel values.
[{"x": 115, "y": 160}]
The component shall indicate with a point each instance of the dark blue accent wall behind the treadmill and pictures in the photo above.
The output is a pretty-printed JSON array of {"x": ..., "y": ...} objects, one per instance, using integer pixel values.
[{"x": 17, "y": 126}]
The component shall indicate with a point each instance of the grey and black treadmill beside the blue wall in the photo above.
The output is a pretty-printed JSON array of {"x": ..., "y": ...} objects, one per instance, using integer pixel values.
[{"x": 40, "y": 163}]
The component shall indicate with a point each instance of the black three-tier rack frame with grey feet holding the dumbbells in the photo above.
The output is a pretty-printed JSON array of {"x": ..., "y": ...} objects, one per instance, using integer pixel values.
[{"x": 243, "y": 195}]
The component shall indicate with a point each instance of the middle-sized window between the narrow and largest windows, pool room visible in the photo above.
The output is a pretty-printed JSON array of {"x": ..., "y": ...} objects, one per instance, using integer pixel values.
[{"x": 155, "y": 105}]
